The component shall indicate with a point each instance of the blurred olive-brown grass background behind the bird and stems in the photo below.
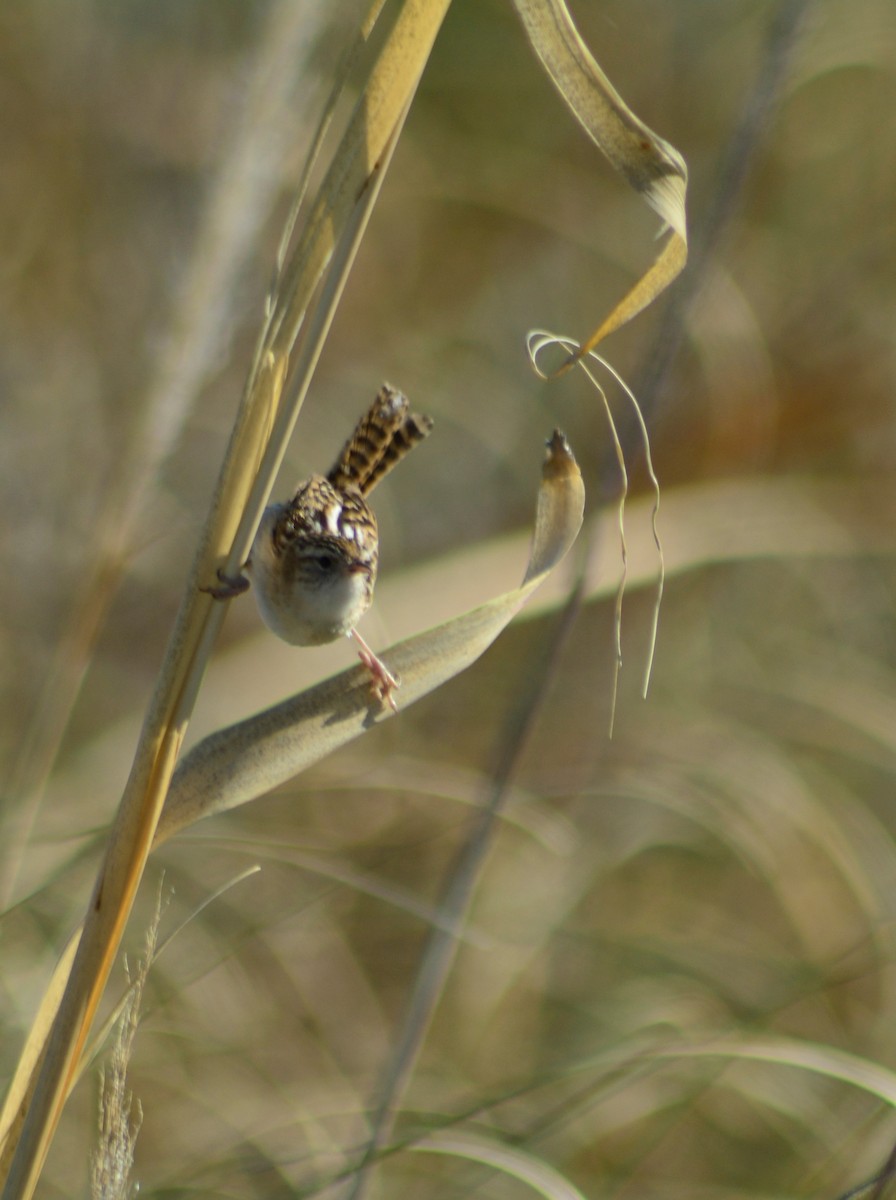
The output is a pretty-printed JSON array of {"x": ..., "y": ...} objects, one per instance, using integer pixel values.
[{"x": 724, "y": 868}]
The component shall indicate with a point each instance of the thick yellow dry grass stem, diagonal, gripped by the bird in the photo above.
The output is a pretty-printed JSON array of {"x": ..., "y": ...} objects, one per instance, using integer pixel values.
[{"x": 256, "y": 451}]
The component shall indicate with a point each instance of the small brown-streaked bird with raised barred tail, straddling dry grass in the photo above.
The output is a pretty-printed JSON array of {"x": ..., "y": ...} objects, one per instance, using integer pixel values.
[{"x": 314, "y": 562}]
